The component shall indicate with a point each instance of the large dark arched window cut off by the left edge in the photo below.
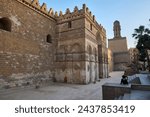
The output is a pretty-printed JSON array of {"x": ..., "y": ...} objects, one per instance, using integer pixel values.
[{"x": 5, "y": 24}]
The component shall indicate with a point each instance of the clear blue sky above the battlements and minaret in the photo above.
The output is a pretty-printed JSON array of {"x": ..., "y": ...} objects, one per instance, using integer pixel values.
[{"x": 130, "y": 13}]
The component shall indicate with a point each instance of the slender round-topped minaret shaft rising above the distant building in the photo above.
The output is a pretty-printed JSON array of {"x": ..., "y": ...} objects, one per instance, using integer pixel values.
[{"x": 117, "y": 29}]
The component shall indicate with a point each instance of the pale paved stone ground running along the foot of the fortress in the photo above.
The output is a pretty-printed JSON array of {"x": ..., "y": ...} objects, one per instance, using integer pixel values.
[{"x": 61, "y": 91}]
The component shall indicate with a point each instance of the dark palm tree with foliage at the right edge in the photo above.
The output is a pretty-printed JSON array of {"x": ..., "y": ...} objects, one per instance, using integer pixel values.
[{"x": 142, "y": 34}]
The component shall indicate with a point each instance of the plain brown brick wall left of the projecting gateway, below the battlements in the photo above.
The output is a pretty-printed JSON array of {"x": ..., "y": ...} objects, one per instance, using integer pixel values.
[{"x": 24, "y": 49}]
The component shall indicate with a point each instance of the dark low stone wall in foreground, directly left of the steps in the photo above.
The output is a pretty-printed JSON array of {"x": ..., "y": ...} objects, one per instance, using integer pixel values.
[{"x": 112, "y": 91}]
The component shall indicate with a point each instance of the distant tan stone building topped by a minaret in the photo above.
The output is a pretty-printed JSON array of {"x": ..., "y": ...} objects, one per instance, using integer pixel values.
[{"x": 118, "y": 46}]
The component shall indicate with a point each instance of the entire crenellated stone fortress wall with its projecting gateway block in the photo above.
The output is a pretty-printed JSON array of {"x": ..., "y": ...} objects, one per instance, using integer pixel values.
[{"x": 36, "y": 43}]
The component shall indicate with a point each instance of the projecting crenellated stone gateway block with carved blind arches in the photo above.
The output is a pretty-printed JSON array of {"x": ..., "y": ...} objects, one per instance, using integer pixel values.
[{"x": 77, "y": 47}]
